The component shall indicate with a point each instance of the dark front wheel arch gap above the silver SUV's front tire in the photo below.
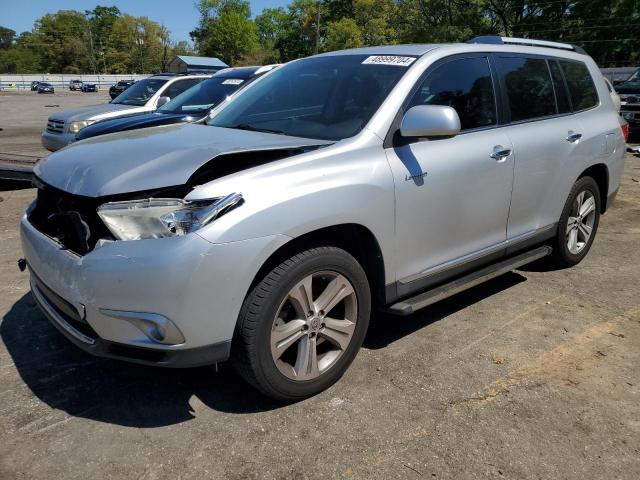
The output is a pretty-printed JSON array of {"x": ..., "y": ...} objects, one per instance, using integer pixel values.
[{"x": 354, "y": 238}]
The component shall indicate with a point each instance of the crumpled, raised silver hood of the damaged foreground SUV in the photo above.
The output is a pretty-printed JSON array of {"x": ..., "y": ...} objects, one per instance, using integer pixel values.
[{"x": 150, "y": 158}]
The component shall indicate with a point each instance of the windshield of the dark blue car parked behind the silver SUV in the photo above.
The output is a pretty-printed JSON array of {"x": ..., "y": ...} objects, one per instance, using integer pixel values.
[{"x": 201, "y": 97}]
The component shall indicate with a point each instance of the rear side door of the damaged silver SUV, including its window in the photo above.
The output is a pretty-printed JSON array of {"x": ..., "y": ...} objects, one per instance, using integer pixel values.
[{"x": 546, "y": 136}]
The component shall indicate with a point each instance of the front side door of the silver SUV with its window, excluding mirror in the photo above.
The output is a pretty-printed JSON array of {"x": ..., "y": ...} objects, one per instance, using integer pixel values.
[{"x": 452, "y": 197}]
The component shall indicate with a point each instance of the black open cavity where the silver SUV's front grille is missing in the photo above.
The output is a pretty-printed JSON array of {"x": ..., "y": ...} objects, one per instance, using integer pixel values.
[{"x": 71, "y": 219}]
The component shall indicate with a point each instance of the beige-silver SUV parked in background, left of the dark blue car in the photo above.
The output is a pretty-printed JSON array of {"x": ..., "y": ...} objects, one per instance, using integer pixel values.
[{"x": 142, "y": 97}]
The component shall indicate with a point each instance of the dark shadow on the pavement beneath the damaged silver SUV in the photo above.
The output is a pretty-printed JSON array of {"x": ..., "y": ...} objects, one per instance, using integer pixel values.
[{"x": 68, "y": 379}]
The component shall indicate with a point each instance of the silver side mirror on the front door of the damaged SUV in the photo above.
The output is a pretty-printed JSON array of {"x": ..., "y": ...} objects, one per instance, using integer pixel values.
[{"x": 427, "y": 121}]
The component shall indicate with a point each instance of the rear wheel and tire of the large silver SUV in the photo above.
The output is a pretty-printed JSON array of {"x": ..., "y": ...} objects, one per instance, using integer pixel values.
[{"x": 578, "y": 224}]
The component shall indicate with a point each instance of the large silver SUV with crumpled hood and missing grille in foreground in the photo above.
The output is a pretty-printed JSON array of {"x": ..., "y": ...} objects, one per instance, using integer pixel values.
[{"x": 387, "y": 177}]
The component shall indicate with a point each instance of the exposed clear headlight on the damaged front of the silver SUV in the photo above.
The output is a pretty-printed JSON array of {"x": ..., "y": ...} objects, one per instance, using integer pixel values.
[{"x": 163, "y": 217}]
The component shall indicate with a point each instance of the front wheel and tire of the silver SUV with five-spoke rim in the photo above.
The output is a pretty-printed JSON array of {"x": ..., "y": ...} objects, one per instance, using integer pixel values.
[{"x": 302, "y": 324}]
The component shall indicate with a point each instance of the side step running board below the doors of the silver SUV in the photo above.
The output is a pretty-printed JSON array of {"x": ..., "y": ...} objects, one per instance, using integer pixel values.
[{"x": 410, "y": 305}]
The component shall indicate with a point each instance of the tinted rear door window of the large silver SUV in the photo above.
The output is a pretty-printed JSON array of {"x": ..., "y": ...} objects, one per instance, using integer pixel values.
[{"x": 529, "y": 87}]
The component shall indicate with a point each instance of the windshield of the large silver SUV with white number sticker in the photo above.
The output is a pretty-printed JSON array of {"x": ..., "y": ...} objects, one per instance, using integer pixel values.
[{"x": 329, "y": 98}]
